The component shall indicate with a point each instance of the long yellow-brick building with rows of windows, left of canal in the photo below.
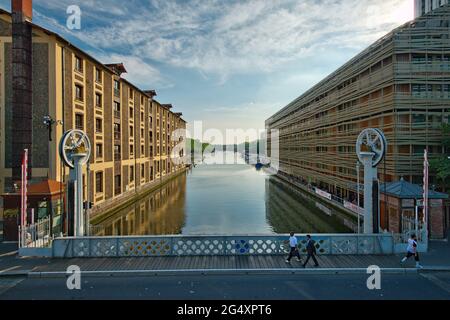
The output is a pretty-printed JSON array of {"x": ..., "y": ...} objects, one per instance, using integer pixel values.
[{"x": 42, "y": 74}]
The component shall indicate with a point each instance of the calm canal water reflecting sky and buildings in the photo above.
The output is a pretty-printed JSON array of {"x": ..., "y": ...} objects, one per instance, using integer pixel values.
[{"x": 225, "y": 199}]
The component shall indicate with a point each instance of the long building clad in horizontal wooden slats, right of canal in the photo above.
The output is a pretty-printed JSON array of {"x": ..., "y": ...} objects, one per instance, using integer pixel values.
[{"x": 400, "y": 84}]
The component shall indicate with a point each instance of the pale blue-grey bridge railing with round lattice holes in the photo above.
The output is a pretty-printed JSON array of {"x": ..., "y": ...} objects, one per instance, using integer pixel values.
[{"x": 157, "y": 246}]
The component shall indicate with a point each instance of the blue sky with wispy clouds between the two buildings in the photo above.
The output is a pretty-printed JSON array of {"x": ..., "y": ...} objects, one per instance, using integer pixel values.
[{"x": 230, "y": 64}]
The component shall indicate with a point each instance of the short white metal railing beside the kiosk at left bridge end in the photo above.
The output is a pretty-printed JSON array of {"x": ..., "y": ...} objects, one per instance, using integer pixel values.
[{"x": 36, "y": 235}]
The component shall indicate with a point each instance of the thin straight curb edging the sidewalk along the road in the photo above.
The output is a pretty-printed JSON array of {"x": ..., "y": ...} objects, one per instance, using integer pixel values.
[{"x": 206, "y": 272}]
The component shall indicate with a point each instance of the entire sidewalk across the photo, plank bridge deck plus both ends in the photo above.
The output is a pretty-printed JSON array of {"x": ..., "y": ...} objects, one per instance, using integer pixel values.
[{"x": 10, "y": 264}]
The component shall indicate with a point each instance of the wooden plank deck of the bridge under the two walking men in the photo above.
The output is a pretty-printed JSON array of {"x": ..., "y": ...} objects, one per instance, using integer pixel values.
[{"x": 217, "y": 262}]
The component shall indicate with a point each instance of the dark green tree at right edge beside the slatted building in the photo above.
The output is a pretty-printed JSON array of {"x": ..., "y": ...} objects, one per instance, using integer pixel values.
[{"x": 440, "y": 165}]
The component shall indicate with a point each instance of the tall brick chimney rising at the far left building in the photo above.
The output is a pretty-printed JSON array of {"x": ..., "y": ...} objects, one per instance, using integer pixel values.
[{"x": 22, "y": 86}]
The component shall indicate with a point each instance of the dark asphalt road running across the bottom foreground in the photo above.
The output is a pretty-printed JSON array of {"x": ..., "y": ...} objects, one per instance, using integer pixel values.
[{"x": 232, "y": 287}]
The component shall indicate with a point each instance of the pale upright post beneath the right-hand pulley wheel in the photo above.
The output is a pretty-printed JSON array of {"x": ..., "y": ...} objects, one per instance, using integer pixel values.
[{"x": 370, "y": 173}]
